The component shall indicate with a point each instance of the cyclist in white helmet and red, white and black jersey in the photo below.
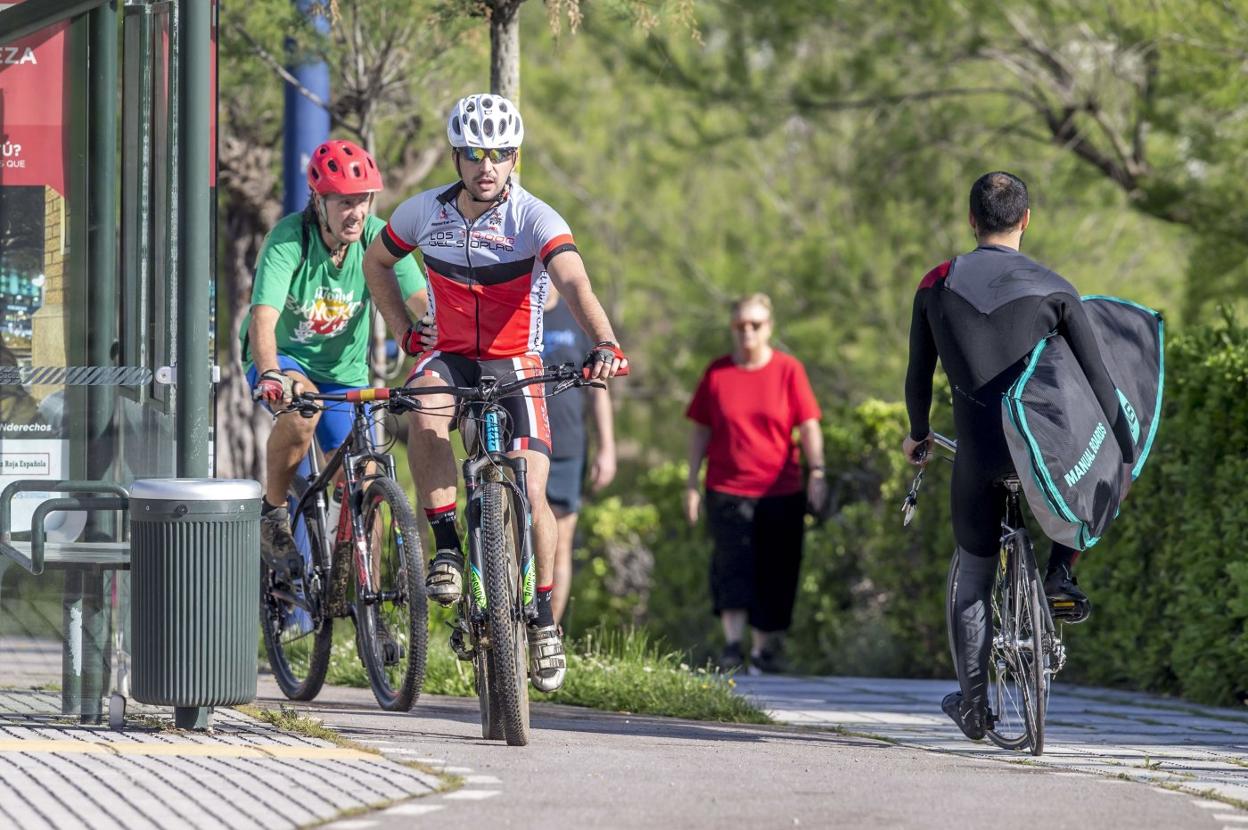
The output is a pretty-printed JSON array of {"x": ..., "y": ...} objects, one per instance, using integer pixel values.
[{"x": 491, "y": 251}]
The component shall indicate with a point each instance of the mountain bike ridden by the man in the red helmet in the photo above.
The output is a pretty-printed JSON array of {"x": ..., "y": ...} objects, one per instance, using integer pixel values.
[{"x": 365, "y": 565}]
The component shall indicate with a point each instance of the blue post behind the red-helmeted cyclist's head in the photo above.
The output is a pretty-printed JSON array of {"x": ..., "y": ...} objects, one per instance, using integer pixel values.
[{"x": 306, "y": 123}]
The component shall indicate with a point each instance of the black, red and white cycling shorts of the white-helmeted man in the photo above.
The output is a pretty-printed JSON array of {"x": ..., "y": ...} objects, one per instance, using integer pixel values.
[{"x": 530, "y": 422}]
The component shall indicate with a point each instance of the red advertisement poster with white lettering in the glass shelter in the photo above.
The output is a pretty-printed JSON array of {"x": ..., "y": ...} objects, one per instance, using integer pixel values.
[{"x": 33, "y": 109}]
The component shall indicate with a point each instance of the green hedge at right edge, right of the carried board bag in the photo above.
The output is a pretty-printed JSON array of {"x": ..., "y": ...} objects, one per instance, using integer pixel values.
[{"x": 1170, "y": 583}]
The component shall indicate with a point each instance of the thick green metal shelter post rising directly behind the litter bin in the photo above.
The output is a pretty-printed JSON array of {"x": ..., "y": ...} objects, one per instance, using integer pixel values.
[{"x": 194, "y": 218}]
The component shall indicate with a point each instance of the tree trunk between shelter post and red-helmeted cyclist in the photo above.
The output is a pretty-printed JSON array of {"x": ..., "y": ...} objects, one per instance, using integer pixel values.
[{"x": 249, "y": 212}]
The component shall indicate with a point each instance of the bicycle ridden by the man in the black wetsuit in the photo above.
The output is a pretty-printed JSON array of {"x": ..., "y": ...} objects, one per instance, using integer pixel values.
[{"x": 1028, "y": 647}]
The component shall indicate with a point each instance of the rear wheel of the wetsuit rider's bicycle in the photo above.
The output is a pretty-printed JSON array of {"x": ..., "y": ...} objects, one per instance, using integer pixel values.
[{"x": 1018, "y": 658}]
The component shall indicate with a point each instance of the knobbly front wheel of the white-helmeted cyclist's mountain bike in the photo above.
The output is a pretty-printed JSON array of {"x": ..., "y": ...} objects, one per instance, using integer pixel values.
[{"x": 509, "y": 642}]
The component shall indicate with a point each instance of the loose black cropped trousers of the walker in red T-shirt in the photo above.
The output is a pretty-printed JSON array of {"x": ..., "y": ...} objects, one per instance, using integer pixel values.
[{"x": 758, "y": 556}]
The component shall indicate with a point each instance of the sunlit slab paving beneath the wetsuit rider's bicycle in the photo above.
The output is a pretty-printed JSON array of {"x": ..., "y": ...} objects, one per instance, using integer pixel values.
[{"x": 1121, "y": 735}]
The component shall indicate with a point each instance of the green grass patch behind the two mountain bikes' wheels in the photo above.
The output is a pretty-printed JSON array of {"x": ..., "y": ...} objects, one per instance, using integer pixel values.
[{"x": 613, "y": 671}]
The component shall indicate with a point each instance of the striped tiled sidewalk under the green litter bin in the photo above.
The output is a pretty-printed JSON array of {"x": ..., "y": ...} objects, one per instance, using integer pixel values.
[{"x": 245, "y": 773}]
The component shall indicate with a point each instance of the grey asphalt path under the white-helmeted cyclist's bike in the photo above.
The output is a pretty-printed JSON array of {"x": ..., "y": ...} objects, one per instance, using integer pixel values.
[{"x": 591, "y": 769}]
